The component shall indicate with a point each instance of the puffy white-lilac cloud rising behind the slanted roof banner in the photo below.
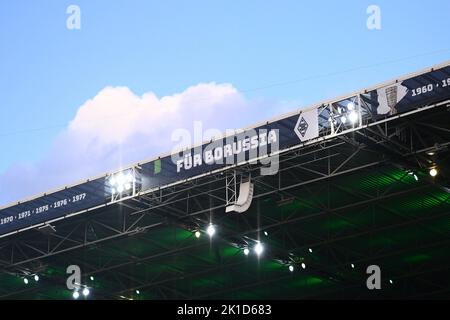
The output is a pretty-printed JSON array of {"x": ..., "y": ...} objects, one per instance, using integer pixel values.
[{"x": 118, "y": 127}]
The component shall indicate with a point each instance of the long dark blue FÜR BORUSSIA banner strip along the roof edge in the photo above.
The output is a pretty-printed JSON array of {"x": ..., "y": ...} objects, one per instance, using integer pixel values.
[{"x": 417, "y": 92}]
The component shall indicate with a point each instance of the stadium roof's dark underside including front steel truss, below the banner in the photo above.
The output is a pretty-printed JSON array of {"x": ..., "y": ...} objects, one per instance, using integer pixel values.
[{"x": 334, "y": 207}]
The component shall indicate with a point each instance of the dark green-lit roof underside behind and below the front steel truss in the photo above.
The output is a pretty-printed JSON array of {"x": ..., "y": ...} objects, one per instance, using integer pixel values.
[{"x": 378, "y": 214}]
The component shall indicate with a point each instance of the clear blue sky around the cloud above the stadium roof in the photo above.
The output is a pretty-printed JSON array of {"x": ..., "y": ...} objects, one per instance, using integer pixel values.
[{"x": 262, "y": 48}]
